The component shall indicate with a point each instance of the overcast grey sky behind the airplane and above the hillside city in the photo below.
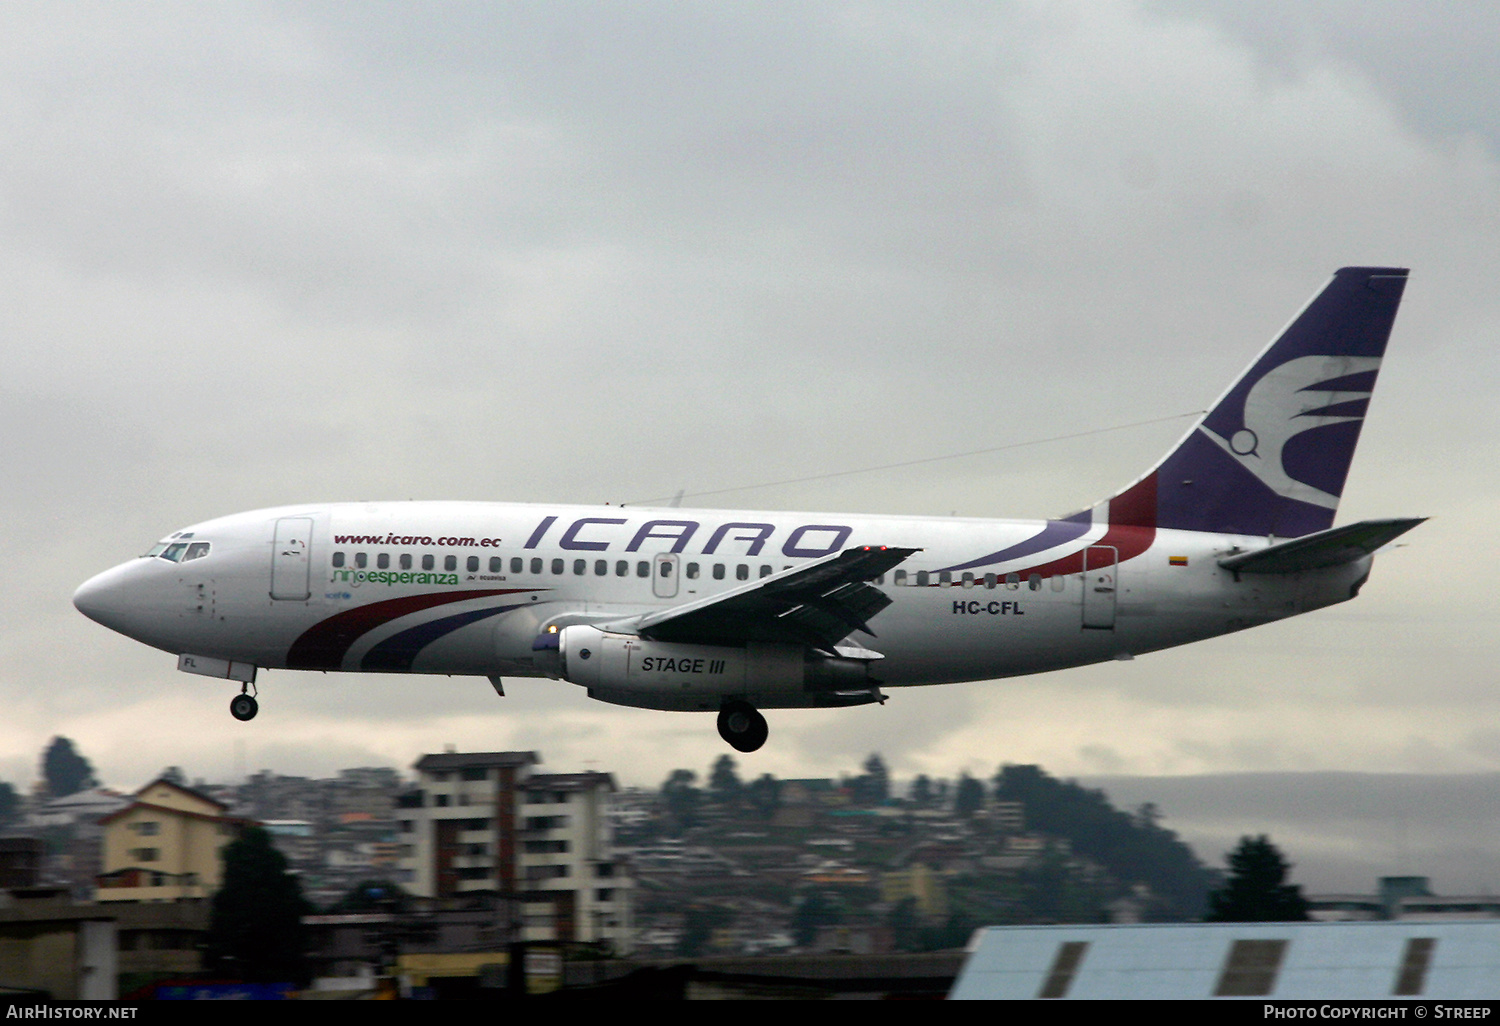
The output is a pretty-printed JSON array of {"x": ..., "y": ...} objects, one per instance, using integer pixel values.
[{"x": 283, "y": 253}]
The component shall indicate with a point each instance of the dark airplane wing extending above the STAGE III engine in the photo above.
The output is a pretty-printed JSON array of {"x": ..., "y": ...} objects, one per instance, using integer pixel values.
[{"x": 817, "y": 604}]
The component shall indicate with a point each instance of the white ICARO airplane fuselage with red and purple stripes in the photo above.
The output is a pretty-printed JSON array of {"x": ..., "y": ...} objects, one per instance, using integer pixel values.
[{"x": 469, "y": 587}]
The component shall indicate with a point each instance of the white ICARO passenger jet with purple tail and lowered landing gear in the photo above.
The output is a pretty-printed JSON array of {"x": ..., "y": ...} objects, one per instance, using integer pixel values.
[{"x": 734, "y": 613}]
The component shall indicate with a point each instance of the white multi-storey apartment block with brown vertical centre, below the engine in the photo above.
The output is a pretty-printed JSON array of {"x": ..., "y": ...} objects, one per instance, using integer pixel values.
[{"x": 487, "y": 824}]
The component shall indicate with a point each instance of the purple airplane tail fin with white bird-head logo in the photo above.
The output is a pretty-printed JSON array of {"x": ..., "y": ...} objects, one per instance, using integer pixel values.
[{"x": 1273, "y": 454}]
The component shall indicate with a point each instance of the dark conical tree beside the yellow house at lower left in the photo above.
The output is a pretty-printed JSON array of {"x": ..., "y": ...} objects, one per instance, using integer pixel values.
[{"x": 256, "y": 925}]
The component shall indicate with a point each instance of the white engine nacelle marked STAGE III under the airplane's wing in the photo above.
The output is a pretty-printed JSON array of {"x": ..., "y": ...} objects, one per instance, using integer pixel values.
[{"x": 676, "y": 671}]
